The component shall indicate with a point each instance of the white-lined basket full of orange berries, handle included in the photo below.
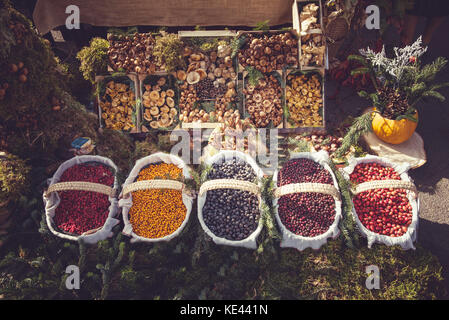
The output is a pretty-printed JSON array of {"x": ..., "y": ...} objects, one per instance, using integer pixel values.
[{"x": 154, "y": 200}]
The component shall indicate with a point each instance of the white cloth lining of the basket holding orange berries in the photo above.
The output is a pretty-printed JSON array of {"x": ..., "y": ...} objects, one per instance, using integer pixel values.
[{"x": 127, "y": 203}]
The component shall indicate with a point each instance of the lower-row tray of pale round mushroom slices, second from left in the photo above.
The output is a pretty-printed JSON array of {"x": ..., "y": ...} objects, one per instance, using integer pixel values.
[{"x": 159, "y": 102}]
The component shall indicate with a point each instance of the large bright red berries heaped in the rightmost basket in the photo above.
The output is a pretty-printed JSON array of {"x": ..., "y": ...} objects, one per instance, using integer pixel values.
[{"x": 385, "y": 211}]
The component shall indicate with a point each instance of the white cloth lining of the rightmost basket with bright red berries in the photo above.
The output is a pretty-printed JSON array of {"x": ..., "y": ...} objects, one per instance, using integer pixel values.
[{"x": 407, "y": 239}]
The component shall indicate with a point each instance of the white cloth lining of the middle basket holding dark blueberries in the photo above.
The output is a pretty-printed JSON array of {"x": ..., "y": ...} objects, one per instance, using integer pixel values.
[{"x": 251, "y": 241}]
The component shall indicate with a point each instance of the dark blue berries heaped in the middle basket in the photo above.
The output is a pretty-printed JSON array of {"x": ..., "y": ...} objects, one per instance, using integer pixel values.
[{"x": 229, "y": 213}]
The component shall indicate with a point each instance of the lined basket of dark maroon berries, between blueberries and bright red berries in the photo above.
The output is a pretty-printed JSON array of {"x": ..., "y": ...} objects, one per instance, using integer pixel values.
[{"x": 306, "y": 182}]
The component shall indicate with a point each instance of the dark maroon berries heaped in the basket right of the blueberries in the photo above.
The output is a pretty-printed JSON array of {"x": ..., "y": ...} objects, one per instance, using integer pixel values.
[{"x": 307, "y": 214}]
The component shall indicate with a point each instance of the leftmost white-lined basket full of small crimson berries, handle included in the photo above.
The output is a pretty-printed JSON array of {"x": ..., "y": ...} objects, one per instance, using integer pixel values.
[{"x": 80, "y": 202}]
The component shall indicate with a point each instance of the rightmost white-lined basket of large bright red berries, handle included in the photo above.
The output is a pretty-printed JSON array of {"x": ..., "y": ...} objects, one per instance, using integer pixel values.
[{"x": 385, "y": 201}]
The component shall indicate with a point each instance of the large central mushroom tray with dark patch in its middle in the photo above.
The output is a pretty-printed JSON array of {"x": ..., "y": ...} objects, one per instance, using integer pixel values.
[{"x": 209, "y": 82}]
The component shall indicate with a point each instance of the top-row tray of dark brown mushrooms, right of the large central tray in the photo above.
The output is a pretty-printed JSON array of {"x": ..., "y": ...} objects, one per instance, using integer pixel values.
[{"x": 266, "y": 55}]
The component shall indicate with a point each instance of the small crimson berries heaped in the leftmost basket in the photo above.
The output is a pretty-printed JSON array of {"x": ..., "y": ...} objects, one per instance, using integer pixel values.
[{"x": 81, "y": 211}]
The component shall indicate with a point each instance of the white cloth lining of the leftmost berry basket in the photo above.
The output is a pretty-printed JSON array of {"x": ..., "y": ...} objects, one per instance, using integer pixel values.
[{"x": 52, "y": 201}]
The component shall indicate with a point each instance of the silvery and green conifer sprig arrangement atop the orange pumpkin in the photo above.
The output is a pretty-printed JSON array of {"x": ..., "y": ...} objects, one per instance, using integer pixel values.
[{"x": 400, "y": 83}]
